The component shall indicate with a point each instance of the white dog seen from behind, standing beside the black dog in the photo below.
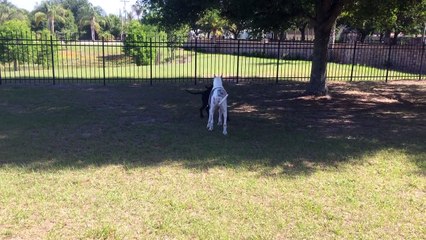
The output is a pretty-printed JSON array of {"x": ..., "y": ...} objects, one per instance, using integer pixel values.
[{"x": 218, "y": 100}]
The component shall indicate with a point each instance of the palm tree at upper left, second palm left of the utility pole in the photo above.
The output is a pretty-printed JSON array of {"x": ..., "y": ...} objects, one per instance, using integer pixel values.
[{"x": 51, "y": 12}]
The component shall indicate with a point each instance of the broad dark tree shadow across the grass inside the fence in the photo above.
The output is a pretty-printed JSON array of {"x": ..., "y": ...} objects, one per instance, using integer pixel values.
[{"x": 274, "y": 129}]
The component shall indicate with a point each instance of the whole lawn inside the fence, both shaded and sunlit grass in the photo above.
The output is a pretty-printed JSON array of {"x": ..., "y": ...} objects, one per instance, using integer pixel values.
[{"x": 136, "y": 162}]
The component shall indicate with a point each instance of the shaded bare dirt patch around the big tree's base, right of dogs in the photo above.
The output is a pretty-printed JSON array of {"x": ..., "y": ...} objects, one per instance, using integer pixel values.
[{"x": 387, "y": 111}]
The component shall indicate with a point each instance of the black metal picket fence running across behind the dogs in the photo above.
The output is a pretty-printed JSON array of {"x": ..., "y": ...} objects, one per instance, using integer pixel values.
[{"x": 46, "y": 60}]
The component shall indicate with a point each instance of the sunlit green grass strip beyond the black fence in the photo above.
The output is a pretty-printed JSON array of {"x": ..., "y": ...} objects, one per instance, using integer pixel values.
[{"x": 86, "y": 63}]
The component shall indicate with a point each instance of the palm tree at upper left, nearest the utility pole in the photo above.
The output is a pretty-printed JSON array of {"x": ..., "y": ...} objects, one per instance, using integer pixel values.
[{"x": 90, "y": 15}]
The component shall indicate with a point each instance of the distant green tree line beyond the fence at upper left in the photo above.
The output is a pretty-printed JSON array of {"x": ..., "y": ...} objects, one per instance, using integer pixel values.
[{"x": 72, "y": 18}]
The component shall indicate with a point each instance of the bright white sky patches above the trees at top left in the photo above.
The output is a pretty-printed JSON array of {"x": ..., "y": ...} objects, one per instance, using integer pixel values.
[{"x": 110, "y": 6}]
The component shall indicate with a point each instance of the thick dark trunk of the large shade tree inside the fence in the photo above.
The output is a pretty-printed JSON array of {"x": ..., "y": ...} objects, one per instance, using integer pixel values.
[{"x": 326, "y": 14}]
